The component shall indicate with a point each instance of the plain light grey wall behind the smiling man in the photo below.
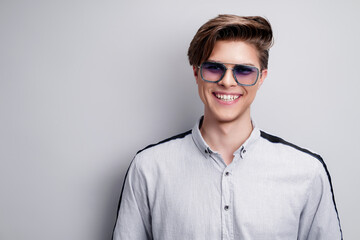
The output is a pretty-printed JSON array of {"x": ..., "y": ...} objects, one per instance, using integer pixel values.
[{"x": 85, "y": 84}]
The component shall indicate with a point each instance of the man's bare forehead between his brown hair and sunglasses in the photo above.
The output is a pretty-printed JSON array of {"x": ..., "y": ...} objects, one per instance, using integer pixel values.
[{"x": 234, "y": 51}]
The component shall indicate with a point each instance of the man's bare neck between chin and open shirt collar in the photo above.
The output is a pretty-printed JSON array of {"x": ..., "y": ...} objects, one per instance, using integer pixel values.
[{"x": 226, "y": 137}]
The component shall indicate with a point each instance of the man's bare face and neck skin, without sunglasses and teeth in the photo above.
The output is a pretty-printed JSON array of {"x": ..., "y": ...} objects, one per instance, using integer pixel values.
[{"x": 227, "y": 125}]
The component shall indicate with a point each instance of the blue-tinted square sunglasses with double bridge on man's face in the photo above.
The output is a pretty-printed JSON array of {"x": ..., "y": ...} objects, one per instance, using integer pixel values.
[{"x": 244, "y": 75}]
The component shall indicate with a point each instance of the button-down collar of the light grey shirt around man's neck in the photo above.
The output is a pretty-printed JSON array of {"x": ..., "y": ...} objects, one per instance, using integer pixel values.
[{"x": 206, "y": 150}]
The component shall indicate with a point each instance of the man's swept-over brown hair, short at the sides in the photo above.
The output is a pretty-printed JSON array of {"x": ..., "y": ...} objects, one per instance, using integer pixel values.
[{"x": 253, "y": 30}]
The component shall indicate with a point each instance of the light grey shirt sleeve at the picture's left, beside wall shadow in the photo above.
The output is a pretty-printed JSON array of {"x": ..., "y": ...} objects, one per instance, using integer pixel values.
[{"x": 134, "y": 221}]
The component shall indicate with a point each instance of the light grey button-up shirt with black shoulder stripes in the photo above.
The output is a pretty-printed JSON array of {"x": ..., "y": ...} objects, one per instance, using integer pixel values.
[{"x": 181, "y": 189}]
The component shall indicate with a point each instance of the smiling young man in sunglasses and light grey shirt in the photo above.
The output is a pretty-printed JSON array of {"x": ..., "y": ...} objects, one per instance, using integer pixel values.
[{"x": 226, "y": 179}]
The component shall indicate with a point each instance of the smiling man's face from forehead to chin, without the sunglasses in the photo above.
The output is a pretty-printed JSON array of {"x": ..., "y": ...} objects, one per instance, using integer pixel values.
[{"x": 226, "y": 101}]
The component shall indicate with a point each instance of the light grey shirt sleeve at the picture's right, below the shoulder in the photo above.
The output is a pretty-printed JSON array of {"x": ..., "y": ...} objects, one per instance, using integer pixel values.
[{"x": 319, "y": 219}]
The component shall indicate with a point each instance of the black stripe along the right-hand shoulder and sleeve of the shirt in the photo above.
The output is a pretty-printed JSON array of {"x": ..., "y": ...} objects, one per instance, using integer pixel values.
[{"x": 275, "y": 139}]
